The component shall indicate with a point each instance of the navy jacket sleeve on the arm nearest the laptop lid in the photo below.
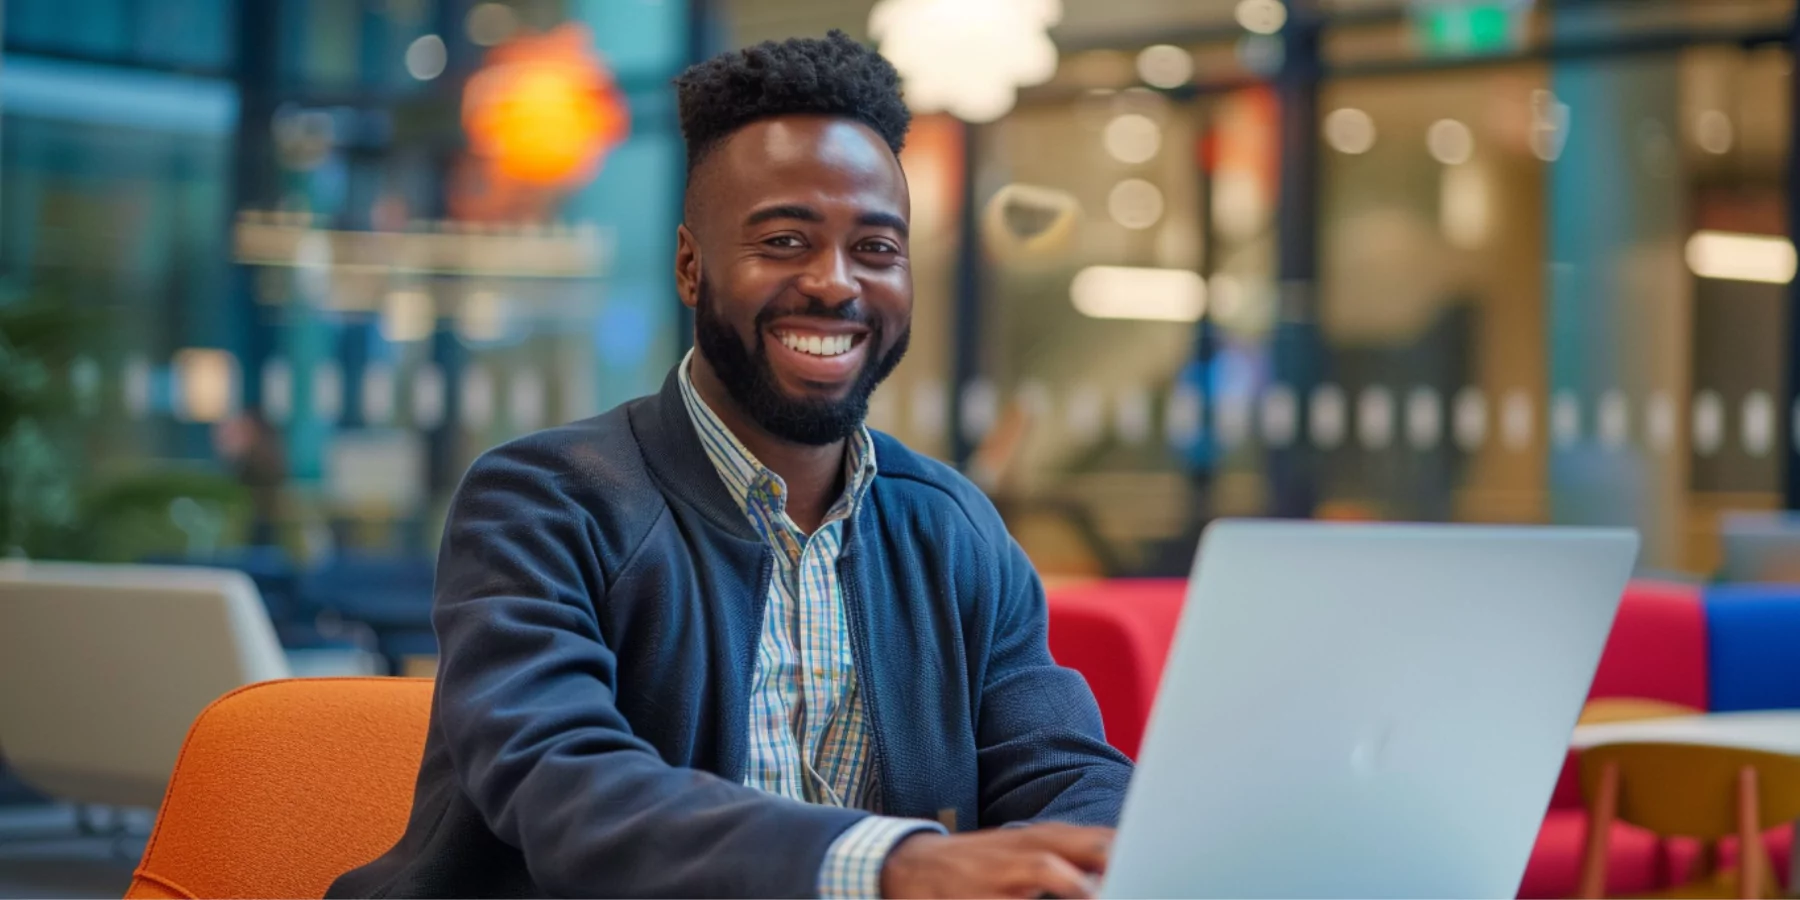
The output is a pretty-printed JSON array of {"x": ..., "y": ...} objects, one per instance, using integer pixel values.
[{"x": 1041, "y": 746}]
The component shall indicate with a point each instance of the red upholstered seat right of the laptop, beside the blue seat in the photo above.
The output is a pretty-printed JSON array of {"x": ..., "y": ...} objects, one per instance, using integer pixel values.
[{"x": 1657, "y": 652}]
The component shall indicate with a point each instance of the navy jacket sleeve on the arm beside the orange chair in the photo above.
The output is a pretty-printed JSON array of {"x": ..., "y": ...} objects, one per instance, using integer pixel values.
[{"x": 526, "y": 705}]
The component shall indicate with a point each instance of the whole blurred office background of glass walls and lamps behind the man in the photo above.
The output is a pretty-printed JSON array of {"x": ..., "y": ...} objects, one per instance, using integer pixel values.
[{"x": 273, "y": 273}]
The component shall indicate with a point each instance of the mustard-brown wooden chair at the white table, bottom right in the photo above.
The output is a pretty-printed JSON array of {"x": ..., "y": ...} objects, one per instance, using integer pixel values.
[{"x": 1691, "y": 791}]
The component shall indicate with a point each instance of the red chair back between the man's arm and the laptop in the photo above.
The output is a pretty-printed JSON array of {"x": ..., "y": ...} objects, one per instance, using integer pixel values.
[{"x": 1117, "y": 634}]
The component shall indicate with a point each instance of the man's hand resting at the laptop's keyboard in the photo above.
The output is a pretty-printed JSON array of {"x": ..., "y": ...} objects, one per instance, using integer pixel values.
[{"x": 1030, "y": 861}]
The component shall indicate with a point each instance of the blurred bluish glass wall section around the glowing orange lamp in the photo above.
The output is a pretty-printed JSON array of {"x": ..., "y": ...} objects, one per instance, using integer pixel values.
[{"x": 422, "y": 305}]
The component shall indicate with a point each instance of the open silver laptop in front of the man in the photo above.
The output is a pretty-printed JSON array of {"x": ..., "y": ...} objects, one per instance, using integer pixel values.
[{"x": 1367, "y": 710}]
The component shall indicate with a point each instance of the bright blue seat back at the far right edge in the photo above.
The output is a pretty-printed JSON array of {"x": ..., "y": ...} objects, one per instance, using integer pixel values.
[{"x": 1754, "y": 647}]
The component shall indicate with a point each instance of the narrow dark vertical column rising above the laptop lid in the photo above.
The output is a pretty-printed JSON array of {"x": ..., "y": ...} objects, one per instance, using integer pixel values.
[{"x": 1295, "y": 345}]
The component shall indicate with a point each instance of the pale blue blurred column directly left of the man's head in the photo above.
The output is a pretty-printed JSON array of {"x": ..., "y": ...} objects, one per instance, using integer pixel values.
[{"x": 636, "y": 199}]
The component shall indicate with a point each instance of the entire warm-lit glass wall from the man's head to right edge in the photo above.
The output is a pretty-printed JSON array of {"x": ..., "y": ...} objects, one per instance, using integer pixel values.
[{"x": 1493, "y": 291}]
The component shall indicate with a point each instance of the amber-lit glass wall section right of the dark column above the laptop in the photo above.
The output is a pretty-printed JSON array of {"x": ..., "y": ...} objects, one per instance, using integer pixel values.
[{"x": 1516, "y": 246}]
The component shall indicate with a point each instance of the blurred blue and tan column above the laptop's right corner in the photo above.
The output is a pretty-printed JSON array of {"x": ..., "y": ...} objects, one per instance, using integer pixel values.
[{"x": 1619, "y": 294}]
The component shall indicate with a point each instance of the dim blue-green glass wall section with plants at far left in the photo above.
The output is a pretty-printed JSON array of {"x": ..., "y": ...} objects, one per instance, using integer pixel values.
[{"x": 114, "y": 255}]
